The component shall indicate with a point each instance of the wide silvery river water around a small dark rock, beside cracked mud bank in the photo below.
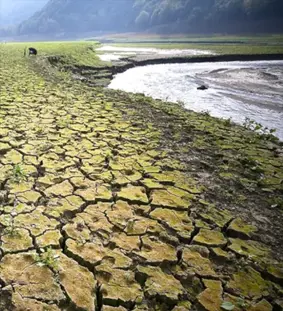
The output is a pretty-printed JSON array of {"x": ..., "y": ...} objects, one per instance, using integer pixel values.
[{"x": 237, "y": 90}]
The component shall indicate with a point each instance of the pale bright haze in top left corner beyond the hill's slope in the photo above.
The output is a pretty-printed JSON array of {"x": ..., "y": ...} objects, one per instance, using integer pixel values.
[{"x": 16, "y": 11}]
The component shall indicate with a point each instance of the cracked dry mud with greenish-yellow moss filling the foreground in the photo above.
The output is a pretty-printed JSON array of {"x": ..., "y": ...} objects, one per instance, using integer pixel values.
[{"x": 121, "y": 207}]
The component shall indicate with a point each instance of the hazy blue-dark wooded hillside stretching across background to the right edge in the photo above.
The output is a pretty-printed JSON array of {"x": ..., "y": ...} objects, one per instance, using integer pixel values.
[{"x": 163, "y": 16}]
